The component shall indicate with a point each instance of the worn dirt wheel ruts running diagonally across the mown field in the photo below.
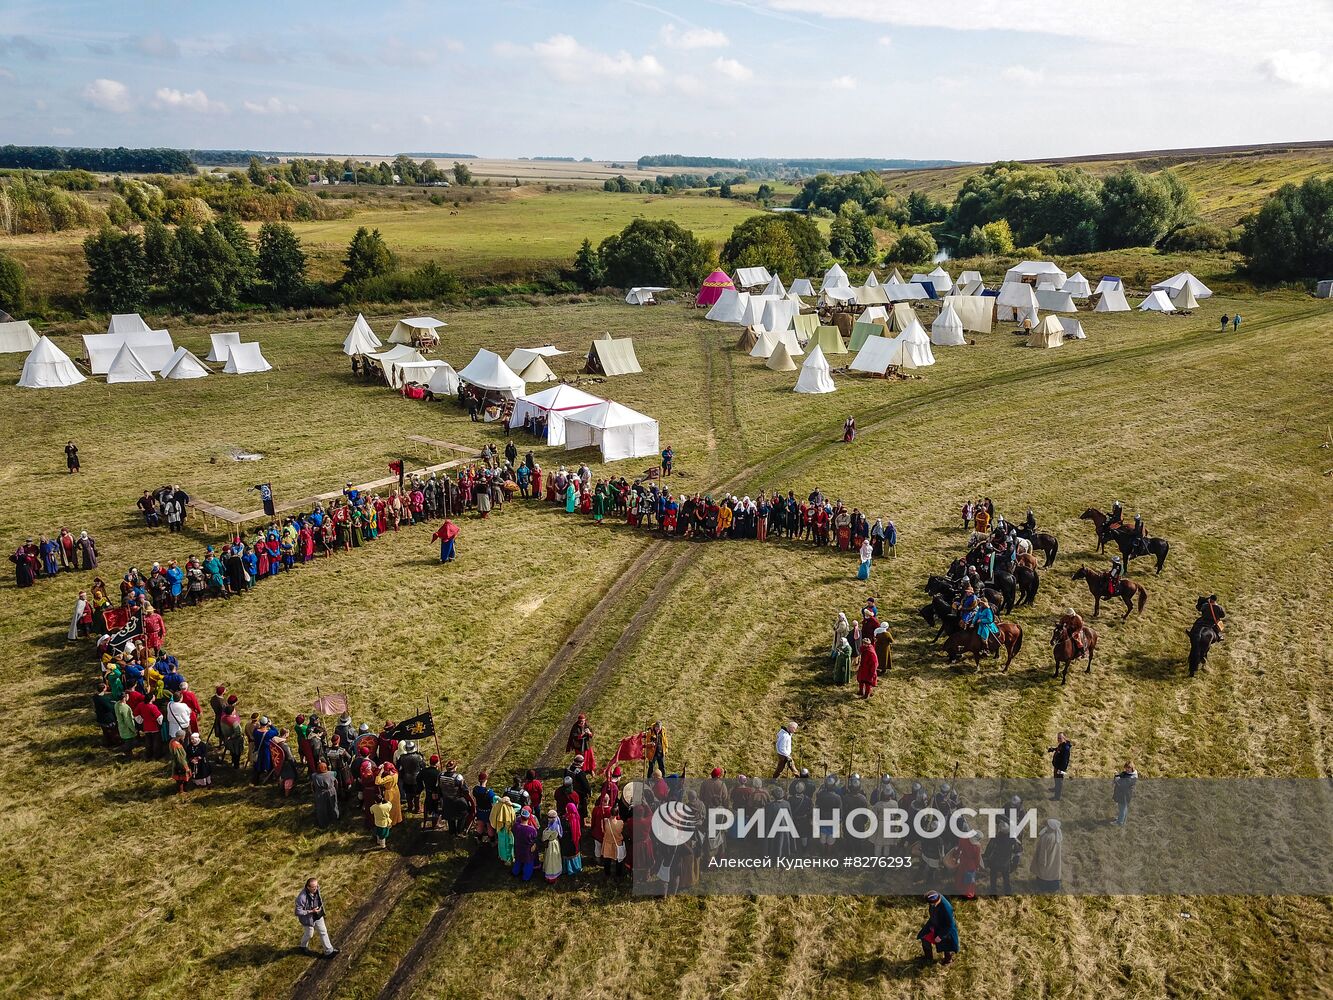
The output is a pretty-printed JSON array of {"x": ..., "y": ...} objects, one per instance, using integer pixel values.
[{"x": 321, "y": 979}]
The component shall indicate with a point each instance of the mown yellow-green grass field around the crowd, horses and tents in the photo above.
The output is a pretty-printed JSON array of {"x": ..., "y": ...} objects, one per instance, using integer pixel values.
[{"x": 117, "y": 890}]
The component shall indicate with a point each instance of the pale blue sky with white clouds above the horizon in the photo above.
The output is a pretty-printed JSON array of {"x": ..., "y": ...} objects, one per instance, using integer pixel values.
[{"x": 617, "y": 79}]
